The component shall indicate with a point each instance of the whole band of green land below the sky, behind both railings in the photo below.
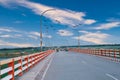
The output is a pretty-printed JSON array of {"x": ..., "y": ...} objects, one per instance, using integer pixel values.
[{"x": 15, "y": 52}]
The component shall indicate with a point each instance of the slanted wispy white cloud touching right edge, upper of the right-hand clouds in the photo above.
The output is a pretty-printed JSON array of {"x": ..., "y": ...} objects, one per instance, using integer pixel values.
[{"x": 108, "y": 25}]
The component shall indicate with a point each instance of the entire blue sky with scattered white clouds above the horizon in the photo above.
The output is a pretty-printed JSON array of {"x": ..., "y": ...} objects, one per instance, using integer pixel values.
[{"x": 63, "y": 22}]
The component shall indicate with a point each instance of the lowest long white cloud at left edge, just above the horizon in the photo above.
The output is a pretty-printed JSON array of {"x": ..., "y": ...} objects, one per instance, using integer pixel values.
[{"x": 3, "y": 43}]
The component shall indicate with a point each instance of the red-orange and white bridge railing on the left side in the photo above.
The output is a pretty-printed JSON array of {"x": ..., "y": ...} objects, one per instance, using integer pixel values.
[{"x": 11, "y": 68}]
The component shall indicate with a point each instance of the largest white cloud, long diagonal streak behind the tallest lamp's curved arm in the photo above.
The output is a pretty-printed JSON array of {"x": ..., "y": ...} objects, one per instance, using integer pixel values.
[{"x": 66, "y": 17}]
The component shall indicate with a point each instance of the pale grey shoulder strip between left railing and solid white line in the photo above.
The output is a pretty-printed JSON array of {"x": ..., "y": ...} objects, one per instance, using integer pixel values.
[{"x": 36, "y": 70}]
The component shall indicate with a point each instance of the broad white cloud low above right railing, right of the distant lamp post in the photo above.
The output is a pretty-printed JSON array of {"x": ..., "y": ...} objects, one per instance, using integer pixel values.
[{"x": 96, "y": 38}]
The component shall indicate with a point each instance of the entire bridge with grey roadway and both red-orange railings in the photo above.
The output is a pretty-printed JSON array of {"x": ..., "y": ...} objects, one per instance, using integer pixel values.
[{"x": 74, "y": 64}]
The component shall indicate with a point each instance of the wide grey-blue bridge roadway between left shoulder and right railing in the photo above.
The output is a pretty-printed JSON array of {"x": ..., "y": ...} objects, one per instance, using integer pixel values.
[{"x": 77, "y": 66}]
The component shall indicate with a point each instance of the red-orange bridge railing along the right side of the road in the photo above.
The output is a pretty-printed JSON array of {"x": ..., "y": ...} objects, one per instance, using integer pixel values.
[{"x": 110, "y": 53}]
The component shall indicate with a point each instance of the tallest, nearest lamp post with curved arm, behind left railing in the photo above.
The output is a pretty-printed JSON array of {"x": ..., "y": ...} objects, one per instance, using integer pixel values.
[{"x": 41, "y": 42}]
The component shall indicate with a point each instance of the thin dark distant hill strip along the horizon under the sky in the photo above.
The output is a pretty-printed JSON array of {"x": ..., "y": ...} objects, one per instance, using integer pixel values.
[{"x": 105, "y": 46}]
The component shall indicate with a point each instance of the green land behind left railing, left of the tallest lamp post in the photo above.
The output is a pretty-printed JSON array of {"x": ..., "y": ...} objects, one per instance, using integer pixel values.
[{"x": 9, "y": 53}]
